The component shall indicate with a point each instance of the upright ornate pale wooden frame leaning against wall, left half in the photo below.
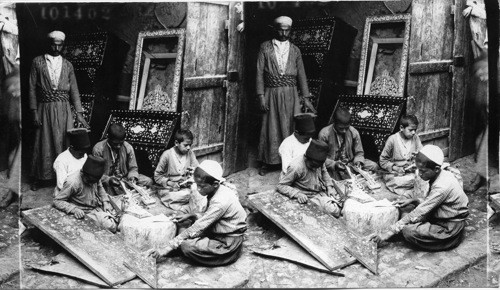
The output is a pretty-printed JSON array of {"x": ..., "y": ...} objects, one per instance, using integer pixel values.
[{"x": 138, "y": 89}]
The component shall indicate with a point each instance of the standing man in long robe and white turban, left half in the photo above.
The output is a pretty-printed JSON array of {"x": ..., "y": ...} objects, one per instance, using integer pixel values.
[{"x": 52, "y": 85}]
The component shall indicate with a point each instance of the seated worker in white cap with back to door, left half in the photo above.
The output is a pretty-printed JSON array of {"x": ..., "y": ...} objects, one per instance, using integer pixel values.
[{"x": 216, "y": 237}]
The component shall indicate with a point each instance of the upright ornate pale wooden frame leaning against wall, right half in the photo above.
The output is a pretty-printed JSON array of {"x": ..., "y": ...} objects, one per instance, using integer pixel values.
[{"x": 365, "y": 76}]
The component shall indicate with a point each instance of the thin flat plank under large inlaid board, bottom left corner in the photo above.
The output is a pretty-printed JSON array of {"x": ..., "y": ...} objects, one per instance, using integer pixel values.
[{"x": 66, "y": 265}]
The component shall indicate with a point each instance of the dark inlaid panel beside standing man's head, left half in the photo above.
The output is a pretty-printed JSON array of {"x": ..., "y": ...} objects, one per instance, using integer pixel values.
[{"x": 85, "y": 50}]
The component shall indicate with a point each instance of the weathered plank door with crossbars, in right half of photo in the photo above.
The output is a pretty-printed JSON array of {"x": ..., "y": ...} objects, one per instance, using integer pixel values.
[{"x": 437, "y": 81}]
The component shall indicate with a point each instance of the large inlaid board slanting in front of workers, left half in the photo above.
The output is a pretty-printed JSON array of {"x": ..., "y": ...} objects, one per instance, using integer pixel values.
[{"x": 98, "y": 249}]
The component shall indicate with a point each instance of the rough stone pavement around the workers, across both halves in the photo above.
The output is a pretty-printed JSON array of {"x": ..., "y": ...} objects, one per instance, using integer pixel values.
[{"x": 399, "y": 265}]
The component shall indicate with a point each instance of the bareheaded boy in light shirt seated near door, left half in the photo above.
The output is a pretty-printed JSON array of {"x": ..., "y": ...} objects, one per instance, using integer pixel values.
[{"x": 177, "y": 162}]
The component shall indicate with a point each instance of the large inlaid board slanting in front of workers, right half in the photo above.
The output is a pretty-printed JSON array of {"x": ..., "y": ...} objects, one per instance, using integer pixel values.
[{"x": 322, "y": 235}]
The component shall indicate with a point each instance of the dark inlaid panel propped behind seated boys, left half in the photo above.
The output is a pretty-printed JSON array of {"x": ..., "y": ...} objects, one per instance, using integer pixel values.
[{"x": 149, "y": 132}]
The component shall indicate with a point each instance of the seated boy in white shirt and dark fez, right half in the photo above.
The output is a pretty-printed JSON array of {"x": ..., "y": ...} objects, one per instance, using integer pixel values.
[{"x": 296, "y": 144}]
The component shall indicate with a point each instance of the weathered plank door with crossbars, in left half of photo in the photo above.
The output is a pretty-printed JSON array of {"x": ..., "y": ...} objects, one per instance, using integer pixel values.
[{"x": 212, "y": 101}]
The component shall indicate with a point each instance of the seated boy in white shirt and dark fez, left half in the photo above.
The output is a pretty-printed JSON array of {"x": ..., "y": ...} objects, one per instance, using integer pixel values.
[{"x": 73, "y": 158}]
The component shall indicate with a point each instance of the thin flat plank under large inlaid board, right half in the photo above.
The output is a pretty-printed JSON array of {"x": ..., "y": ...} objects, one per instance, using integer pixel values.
[{"x": 288, "y": 250}]
